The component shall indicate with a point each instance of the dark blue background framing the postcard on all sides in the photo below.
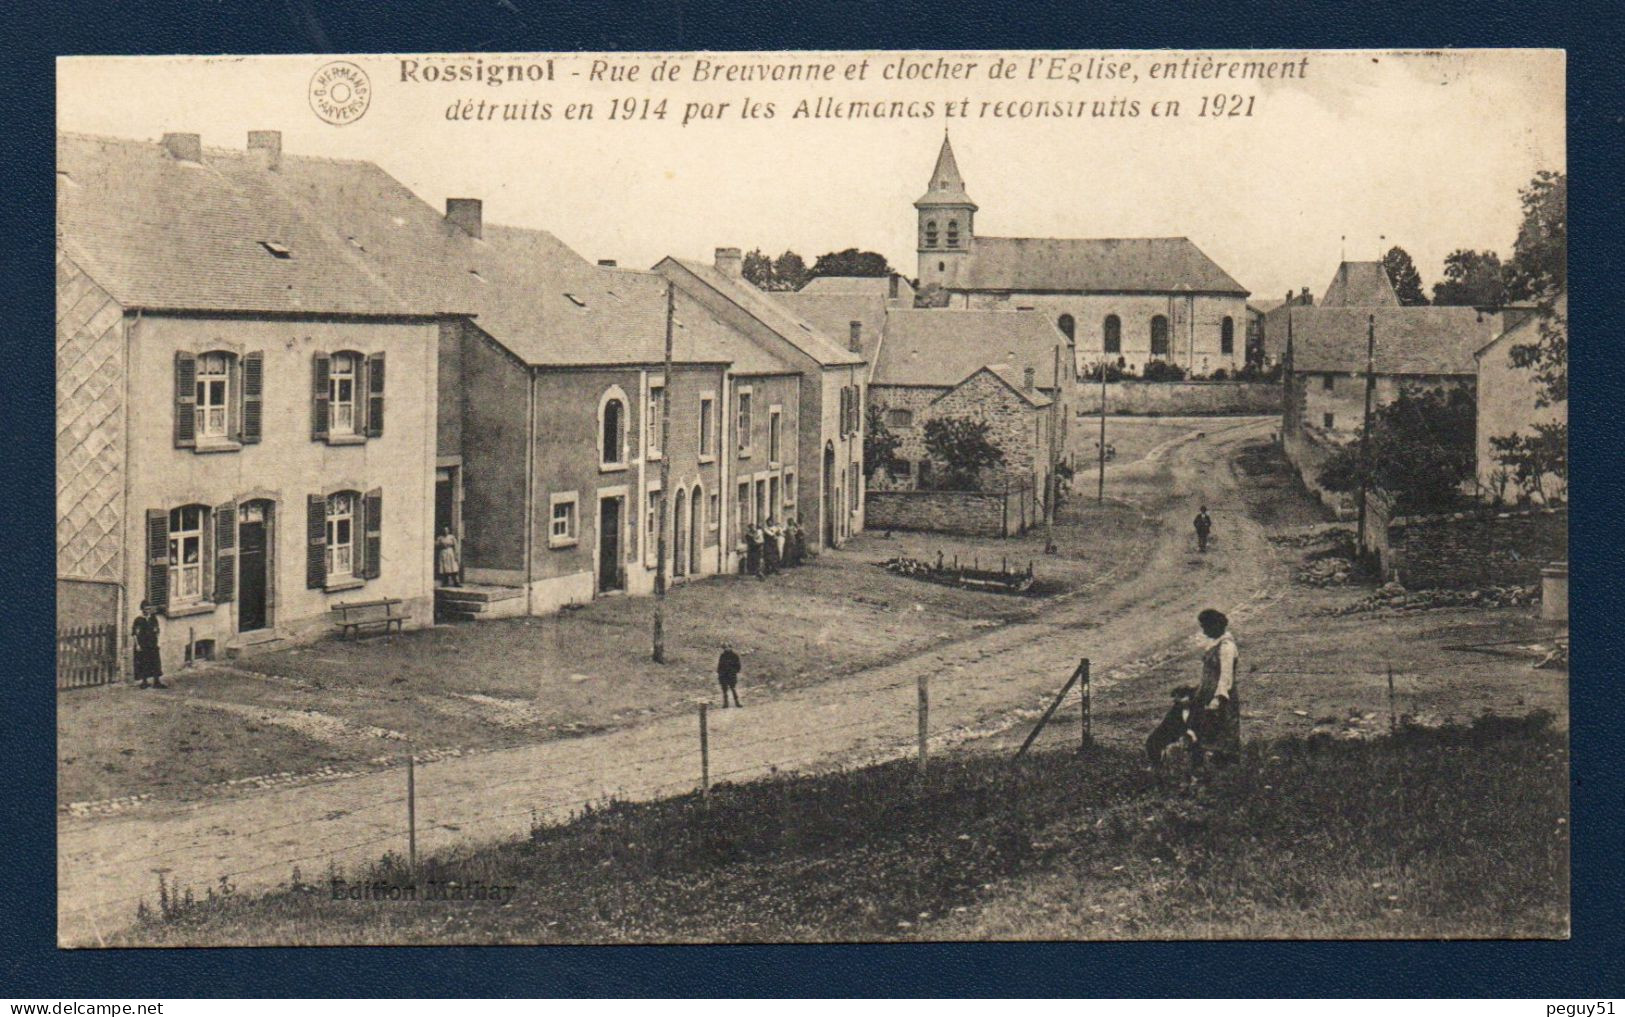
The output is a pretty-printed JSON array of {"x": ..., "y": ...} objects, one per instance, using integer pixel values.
[{"x": 30, "y": 964}]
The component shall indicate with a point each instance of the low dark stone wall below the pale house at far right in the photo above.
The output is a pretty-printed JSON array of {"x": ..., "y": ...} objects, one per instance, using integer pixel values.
[{"x": 1476, "y": 548}]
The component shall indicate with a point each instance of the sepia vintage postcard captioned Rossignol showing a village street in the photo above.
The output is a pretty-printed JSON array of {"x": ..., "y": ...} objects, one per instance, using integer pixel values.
[{"x": 812, "y": 496}]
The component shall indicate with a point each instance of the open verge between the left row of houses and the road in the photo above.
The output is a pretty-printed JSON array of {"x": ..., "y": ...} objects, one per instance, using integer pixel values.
[{"x": 490, "y": 685}]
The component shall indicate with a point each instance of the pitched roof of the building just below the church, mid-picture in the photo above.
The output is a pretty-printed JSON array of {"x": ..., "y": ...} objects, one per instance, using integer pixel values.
[{"x": 940, "y": 348}]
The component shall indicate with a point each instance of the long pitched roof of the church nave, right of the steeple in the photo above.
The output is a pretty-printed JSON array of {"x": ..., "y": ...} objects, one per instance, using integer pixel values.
[{"x": 1117, "y": 266}]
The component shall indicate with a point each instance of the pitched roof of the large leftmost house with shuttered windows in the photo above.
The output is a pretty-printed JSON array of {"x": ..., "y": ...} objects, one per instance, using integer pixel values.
[{"x": 160, "y": 233}]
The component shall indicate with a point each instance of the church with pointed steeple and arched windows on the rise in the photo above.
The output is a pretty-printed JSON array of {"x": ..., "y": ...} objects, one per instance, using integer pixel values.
[{"x": 1124, "y": 301}]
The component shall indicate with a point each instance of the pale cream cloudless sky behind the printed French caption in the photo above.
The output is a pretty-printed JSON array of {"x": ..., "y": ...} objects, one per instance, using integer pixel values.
[{"x": 1426, "y": 150}]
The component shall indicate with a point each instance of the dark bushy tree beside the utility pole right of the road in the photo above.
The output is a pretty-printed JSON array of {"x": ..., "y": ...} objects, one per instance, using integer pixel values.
[{"x": 1423, "y": 451}]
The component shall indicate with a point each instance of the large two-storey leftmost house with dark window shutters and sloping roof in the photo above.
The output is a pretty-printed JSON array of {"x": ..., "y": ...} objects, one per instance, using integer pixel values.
[{"x": 246, "y": 418}]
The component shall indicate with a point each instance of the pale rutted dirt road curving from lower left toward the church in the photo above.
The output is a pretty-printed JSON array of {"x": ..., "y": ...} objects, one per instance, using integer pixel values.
[{"x": 977, "y": 686}]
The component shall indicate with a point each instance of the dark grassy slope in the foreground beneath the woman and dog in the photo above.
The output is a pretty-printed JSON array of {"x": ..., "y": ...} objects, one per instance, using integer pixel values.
[{"x": 1455, "y": 833}]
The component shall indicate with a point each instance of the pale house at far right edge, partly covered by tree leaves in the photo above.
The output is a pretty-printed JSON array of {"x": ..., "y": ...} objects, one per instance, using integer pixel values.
[{"x": 1507, "y": 396}]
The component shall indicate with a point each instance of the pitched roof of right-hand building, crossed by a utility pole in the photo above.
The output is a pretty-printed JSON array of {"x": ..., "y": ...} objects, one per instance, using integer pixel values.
[{"x": 1410, "y": 340}]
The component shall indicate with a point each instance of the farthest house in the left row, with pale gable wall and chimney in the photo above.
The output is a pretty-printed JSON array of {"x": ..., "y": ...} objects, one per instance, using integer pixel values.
[{"x": 833, "y": 378}]
